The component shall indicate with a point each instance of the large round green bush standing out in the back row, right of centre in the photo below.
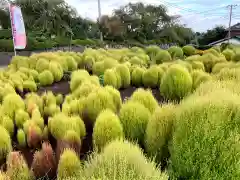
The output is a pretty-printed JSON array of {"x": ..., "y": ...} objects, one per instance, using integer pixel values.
[{"x": 176, "y": 83}]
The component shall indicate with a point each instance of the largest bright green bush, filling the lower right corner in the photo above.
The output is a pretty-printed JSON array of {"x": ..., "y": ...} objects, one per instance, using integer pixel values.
[{"x": 206, "y": 141}]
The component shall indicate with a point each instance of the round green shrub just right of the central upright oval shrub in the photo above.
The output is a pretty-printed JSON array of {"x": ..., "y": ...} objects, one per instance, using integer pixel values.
[{"x": 134, "y": 118}]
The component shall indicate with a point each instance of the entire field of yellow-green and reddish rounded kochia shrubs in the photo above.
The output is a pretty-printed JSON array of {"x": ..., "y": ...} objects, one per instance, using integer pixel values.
[{"x": 139, "y": 114}]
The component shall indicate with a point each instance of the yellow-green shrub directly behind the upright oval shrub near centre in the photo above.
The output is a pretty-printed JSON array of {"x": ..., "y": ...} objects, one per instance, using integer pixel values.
[{"x": 97, "y": 102}]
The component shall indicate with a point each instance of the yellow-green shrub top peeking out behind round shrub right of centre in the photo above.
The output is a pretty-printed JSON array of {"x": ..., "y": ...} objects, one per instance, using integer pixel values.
[{"x": 146, "y": 98}]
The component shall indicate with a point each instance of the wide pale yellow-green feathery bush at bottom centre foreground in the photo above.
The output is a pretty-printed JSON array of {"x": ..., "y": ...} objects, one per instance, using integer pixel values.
[{"x": 124, "y": 158}]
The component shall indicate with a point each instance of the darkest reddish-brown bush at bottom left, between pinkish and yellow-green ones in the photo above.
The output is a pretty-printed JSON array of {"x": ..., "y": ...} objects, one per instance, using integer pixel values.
[{"x": 44, "y": 162}]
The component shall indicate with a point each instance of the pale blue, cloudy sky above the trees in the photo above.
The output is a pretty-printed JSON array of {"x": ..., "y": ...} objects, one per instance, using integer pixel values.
[{"x": 200, "y": 15}]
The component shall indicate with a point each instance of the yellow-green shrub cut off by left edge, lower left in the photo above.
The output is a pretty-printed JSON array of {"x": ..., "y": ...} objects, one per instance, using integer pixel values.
[{"x": 5, "y": 143}]
